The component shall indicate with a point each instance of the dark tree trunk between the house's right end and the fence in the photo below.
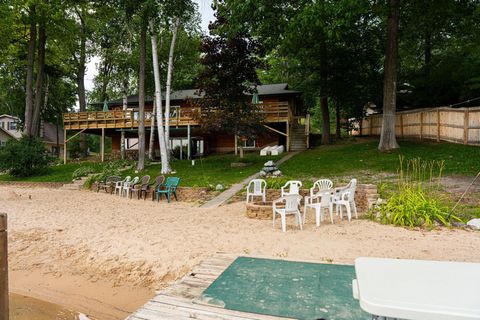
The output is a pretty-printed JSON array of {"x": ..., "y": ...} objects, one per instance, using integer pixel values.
[{"x": 323, "y": 91}]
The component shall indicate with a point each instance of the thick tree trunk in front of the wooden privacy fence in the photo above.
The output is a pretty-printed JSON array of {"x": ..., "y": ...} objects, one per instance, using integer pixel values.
[{"x": 387, "y": 137}]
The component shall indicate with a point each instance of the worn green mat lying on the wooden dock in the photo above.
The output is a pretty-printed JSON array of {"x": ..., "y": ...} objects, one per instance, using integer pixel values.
[{"x": 286, "y": 289}]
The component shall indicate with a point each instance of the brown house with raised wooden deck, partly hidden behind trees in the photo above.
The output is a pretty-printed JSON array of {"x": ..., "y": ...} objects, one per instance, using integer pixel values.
[{"x": 284, "y": 121}]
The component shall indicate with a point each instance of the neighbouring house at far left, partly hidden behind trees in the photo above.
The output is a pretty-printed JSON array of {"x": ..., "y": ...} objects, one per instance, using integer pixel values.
[{"x": 49, "y": 133}]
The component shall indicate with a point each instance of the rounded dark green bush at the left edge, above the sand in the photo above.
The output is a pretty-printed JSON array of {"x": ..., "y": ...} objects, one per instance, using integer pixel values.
[{"x": 24, "y": 157}]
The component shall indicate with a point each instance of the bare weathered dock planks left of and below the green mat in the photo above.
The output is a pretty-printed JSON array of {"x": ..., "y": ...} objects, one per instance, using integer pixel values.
[{"x": 177, "y": 301}]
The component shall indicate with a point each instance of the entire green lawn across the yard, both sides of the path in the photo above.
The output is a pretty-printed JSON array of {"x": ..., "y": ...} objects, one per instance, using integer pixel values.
[{"x": 360, "y": 159}]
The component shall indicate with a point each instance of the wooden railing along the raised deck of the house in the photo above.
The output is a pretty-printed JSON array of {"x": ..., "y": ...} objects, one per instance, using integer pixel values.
[{"x": 273, "y": 112}]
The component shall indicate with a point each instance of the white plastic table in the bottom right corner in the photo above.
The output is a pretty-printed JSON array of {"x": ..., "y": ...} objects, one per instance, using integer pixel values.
[{"x": 418, "y": 289}]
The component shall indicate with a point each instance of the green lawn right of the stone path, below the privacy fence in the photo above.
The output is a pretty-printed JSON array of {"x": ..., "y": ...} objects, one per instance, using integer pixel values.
[{"x": 363, "y": 159}]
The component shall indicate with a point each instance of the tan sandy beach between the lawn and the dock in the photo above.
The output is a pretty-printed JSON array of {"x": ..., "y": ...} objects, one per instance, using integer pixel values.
[{"x": 105, "y": 256}]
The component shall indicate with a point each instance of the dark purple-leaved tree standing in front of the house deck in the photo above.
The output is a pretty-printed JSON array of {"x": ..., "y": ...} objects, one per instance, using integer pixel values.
[{"x": 230, "y": 62}]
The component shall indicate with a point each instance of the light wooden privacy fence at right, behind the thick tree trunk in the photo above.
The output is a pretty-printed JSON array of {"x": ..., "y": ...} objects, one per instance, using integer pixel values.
[{"x": 458, "y": 125}]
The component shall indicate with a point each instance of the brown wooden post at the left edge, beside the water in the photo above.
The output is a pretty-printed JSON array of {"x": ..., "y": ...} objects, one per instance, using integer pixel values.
[{"x": 3, "y": 267}]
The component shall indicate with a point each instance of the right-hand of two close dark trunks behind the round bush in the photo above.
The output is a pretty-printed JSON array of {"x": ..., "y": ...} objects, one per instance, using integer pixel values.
[{"x": 42, "y": 39}]
